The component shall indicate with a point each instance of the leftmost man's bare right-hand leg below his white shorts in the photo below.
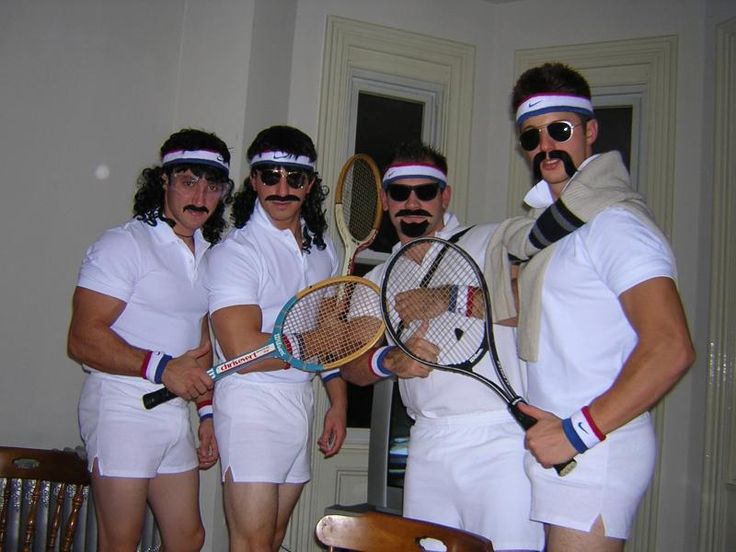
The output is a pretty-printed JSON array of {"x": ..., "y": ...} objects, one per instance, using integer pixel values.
[{"x": 174, "y": 499}]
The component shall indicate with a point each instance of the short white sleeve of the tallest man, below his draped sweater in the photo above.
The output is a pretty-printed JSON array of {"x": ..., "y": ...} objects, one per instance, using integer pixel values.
[{"x": 625, "y": 251}]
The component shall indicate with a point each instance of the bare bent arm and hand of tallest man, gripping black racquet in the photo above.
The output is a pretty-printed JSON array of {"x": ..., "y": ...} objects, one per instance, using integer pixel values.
[{"x": 661, "y": 357}]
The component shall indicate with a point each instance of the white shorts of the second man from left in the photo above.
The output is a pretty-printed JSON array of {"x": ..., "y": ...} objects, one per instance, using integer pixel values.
[{"x": 264, "y": 430}]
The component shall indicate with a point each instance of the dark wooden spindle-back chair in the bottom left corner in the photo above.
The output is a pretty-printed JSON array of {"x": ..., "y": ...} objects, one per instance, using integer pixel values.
[{"x": 34, "y": 485}]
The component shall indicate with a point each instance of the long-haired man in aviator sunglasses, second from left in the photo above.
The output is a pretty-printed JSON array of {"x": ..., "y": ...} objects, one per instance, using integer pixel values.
[{"x": 263, "y": 418}]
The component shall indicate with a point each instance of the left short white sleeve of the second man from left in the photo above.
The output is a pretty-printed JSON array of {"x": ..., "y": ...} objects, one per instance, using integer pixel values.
[{"x": 233, "y": 275}]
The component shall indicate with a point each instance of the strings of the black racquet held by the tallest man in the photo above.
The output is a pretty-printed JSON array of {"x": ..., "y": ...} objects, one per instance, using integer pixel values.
[{"x": 432, "y": 288}]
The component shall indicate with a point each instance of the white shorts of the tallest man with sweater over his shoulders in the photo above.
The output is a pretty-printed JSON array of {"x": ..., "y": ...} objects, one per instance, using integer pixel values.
[{"x": 609, "y": 481}]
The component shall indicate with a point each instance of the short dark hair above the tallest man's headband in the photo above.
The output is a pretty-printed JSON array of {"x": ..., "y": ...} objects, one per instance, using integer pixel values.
[{"x": 550, "y": 77}]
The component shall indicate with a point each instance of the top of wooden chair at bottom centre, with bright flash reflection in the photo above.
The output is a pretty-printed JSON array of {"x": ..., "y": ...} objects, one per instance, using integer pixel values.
[{"x": 380, "y": 532}]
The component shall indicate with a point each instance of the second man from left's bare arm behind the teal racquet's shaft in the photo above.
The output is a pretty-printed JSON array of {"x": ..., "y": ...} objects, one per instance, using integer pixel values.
[{"x": 238, "y": 330}]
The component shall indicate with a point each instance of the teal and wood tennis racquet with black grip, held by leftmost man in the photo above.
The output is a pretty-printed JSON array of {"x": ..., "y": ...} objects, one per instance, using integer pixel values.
[{"x": 323, "y": 326}]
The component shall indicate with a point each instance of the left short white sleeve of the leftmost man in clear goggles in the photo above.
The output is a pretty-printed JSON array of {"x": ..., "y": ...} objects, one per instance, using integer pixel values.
[{"x": 111, "y": 265}]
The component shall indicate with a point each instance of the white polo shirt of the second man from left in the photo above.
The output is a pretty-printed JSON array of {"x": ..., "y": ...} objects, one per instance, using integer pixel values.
[{"x": 262, "y": 265}]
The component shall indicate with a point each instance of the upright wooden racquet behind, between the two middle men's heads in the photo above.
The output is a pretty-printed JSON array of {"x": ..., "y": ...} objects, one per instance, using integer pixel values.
[{"x": 357, "y": 207}]
